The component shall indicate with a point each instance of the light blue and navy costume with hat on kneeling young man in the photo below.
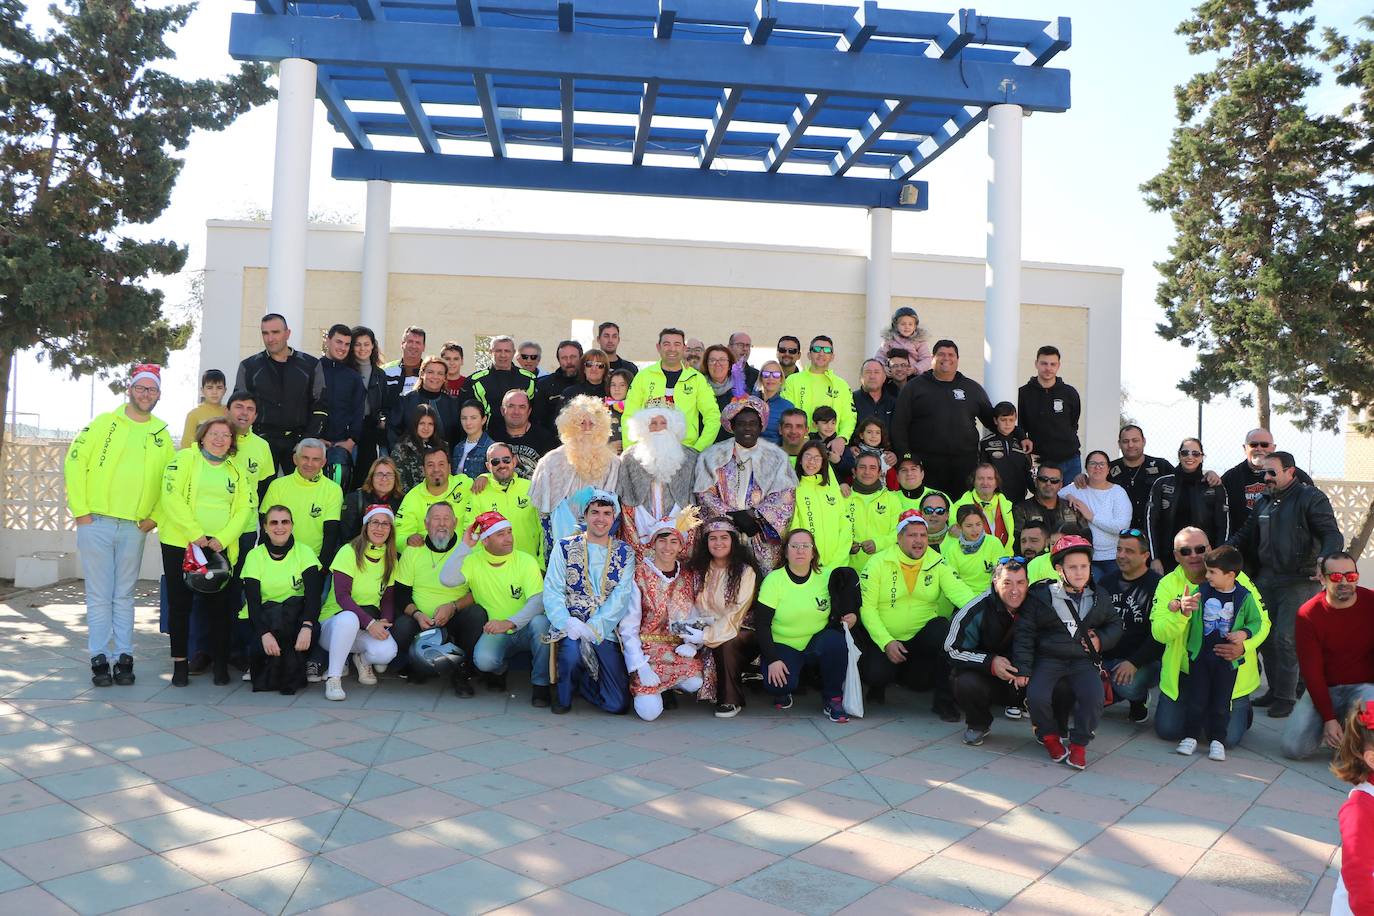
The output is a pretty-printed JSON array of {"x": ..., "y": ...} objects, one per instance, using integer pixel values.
[{"x": 592, "y": 584}]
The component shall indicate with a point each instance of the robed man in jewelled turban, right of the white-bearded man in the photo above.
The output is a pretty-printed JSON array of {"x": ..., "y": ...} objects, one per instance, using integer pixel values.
[{"x": 750, "y": 480}]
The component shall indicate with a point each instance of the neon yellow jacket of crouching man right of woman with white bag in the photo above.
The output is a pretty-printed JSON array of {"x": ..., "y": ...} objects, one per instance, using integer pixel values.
[{"x": 891, "y": 612}]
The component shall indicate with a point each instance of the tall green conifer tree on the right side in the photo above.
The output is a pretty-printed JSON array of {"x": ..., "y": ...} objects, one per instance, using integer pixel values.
[{"x": 1259, "y": 278}]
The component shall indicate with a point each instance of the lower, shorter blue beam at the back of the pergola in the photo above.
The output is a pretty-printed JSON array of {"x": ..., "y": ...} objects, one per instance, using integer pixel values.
[{"x": 535, "y": 175}]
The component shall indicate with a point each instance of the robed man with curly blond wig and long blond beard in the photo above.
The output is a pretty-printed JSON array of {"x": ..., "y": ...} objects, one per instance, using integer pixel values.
[{"x": 585, "y": 461}]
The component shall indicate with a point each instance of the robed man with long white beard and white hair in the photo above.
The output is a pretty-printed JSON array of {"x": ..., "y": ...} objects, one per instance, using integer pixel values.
[{"x": 657, "y": 472}]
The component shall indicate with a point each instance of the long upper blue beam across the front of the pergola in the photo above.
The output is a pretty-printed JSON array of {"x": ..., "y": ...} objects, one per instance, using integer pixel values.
[{"x": 597, "y": 57}]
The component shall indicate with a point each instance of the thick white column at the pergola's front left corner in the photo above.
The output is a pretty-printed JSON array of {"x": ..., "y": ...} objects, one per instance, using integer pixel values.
[{"x": 292, "y": 196}]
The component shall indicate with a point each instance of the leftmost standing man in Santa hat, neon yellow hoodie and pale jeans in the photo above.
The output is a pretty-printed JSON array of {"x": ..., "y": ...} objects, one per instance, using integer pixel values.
[{"x": 113, "y": 476}]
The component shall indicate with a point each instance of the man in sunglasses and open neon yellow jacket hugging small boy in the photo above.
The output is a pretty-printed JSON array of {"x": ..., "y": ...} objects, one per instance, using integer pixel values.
[{"x": 1177, "y": 595}]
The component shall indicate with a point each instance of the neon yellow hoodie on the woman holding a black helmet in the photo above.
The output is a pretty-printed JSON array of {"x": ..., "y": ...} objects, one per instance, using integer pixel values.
[{"x": 183, "y": 503}]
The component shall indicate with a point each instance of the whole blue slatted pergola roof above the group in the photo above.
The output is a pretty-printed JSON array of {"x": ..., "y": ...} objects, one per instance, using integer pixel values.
[{"x": 723, "y": 100}]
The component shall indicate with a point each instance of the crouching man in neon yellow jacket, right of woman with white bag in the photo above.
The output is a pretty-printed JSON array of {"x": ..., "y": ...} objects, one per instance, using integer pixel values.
[{"x": 909, "y": 593}]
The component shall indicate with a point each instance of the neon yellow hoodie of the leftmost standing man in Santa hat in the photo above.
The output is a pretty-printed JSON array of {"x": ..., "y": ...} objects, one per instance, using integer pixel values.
[{"x": 115, "y": 466}]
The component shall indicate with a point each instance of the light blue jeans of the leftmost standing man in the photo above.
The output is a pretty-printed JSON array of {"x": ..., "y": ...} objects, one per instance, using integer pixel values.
[{"x": 112, "y": 553}]
